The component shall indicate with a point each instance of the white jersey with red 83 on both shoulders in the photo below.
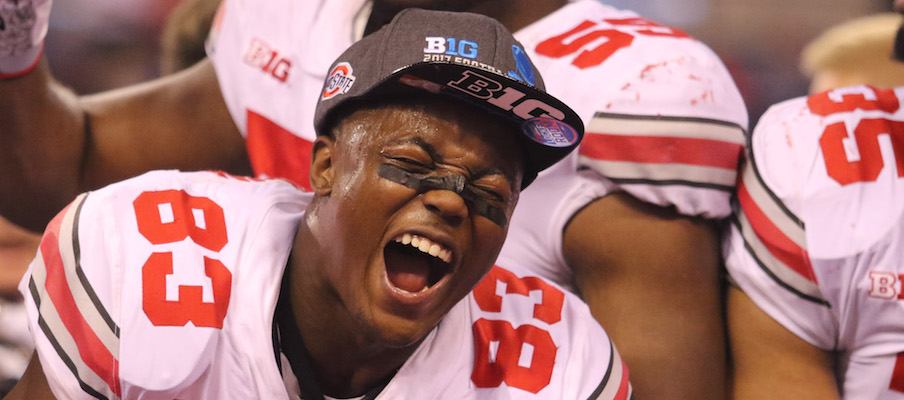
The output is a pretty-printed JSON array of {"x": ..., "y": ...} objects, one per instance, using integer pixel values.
[{"x": 164, "y": 286}]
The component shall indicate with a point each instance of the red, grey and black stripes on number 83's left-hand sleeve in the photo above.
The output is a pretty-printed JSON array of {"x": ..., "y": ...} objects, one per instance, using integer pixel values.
[{"x": 69, "y": 312}]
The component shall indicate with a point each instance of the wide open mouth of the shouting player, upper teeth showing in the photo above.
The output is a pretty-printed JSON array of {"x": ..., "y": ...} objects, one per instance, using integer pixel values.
[{"x": 415, "y": 263}]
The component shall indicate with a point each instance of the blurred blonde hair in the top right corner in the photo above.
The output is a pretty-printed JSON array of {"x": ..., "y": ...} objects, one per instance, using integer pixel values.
[{"x": 856, "y": 44}]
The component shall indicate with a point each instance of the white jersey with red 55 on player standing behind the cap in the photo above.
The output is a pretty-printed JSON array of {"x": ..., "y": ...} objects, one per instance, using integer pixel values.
[{"x": 664, "y": 119}]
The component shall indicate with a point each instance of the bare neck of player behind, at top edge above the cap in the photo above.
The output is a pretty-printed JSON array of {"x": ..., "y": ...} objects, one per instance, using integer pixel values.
[{"x": 514, "y": 14}]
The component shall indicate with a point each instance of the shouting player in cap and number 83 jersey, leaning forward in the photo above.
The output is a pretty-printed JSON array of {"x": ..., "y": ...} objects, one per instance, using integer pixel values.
[{"x": 414, "y": 179}]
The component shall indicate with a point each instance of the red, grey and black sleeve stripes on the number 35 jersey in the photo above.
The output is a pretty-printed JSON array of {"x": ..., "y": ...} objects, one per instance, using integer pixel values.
[{"x": 773, "y": 235}]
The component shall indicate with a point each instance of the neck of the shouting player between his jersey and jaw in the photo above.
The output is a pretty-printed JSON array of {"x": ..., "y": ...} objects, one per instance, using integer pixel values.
[{"x": 346, "y": 358}]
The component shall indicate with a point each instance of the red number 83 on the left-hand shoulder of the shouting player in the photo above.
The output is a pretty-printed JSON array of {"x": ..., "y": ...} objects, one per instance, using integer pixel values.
[{"x": 179, "y": 223}]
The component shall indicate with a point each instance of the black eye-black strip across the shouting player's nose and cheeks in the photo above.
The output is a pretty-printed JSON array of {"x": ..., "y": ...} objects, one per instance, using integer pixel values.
[{"x": 454, "y": 183}]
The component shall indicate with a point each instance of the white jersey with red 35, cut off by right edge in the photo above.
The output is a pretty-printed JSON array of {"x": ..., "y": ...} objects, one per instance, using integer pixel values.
[{"x": 818, "y": 241}]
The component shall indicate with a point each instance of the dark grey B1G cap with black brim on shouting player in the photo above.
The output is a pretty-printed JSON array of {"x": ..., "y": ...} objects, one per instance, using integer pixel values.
[{"x": 463, "y": 56}]
